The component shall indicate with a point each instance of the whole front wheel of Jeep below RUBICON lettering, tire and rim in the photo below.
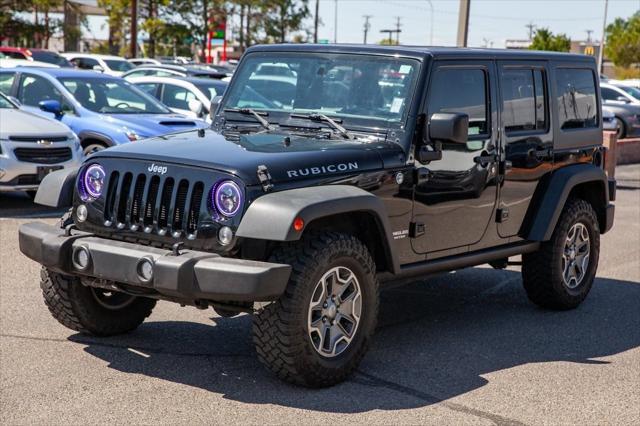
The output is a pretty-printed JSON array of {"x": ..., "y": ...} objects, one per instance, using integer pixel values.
[{"x": 317, "y": 332}]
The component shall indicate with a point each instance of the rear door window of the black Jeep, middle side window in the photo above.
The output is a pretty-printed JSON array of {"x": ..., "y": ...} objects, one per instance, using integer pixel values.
[{"x": 523, "y": 100}]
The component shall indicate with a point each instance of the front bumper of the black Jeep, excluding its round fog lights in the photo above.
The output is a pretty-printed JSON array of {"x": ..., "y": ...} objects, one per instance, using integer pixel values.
[{"x": 189, "y": 276}]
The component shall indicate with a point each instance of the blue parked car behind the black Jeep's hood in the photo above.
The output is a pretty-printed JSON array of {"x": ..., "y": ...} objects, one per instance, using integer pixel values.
[{"x": 102, "y": 110}]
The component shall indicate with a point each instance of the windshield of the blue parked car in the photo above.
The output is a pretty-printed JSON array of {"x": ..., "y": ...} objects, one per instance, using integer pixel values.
[{"x": 111, "y": 96}]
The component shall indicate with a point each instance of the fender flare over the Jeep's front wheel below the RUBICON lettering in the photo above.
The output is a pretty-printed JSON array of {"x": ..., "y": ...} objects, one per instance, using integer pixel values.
[{"x": 271, "y": 216}]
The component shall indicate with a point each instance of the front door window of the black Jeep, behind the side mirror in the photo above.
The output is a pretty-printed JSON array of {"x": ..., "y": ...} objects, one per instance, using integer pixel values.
[{"x": 462, "y": 91}]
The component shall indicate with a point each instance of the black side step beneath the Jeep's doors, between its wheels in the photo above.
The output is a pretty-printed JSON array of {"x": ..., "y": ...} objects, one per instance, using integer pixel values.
[{"x": 461, "y": 260}]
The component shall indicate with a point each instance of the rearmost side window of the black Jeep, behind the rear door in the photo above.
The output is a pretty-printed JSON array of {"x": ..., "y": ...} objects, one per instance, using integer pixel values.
[{"x": 576, "y": 90}]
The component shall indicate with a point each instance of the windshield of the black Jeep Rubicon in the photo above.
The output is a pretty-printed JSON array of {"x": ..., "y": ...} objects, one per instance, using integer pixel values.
[{"x": 349, "y": 86}]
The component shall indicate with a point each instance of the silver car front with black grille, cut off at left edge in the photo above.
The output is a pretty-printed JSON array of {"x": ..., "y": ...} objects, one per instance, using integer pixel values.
[{"x": 31, "y": 146}]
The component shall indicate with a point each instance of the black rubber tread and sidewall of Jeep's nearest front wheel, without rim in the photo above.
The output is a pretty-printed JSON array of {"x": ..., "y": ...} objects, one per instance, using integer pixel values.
[{"x": 280, "y": 329}]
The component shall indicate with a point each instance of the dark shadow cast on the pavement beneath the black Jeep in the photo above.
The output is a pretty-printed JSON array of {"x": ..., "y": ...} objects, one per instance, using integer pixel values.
[{"x": 437, "y": 338}]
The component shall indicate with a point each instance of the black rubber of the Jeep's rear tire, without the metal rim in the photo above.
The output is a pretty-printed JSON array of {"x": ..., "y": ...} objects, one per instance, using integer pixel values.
[{"x": 542, "y": 270}]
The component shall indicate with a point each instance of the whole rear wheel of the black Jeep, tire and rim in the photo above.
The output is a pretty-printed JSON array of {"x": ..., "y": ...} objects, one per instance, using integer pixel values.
[{"x": 561, "y": 273}]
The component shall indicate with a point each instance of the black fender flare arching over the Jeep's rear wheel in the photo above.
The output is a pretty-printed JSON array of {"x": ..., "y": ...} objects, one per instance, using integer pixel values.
[{"x": 552, "y": 194}]
